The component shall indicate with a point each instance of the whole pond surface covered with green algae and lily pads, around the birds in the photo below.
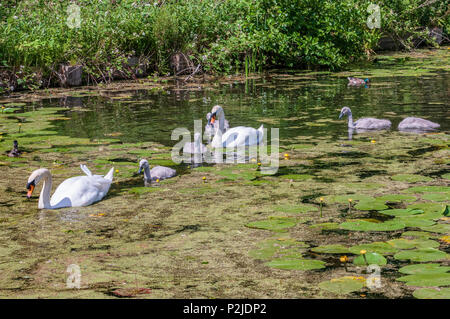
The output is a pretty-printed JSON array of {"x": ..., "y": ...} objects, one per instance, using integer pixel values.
[{"x": 384, "y": 192}]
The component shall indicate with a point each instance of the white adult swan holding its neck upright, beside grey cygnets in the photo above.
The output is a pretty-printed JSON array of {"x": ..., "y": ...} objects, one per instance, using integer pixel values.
[{"x": 236, "y": 136}]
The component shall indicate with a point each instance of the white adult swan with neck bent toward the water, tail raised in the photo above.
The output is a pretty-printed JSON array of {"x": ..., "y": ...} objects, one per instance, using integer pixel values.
[{"x": 73, "y": 192}]
